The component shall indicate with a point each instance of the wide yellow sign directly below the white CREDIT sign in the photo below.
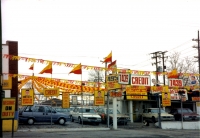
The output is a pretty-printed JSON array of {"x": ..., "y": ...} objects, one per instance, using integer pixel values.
[{"x": 136, "y": 93}]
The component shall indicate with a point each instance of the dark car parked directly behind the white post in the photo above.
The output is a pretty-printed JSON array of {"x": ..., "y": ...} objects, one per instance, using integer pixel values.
[{"x": 121, "y": 118}]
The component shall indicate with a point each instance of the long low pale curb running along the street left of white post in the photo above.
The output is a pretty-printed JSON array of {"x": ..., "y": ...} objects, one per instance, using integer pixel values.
[{"x": 66, "y": 129}]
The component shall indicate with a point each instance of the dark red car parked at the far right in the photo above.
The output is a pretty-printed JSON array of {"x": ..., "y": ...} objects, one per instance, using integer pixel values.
[{"x": 187, "y": 114}]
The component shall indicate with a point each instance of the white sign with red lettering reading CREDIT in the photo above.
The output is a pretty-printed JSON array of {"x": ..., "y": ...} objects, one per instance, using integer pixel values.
[{"x": 138, "y": 80}]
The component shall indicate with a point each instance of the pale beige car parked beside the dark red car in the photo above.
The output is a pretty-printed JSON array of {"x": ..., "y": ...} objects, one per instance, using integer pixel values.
[{"x": 152, "y": 114}]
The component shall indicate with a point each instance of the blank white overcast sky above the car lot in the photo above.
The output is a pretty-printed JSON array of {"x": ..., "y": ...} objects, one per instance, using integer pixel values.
[{"x": 86, "y": 31}]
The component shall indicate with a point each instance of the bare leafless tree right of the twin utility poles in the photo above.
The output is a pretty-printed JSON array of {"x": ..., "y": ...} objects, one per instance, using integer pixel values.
[{"x": 185, "y": 65}]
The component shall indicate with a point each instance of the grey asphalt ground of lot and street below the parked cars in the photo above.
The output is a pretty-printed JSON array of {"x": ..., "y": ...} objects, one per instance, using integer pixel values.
[{"x": 75, "y": 130}]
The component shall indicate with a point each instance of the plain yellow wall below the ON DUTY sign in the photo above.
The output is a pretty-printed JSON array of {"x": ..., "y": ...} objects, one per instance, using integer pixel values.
[{"x": 7, "y": 125}]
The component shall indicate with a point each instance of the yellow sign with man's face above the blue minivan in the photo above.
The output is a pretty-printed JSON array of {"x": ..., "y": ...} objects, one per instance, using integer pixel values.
[{"x": 27, "y": 97}]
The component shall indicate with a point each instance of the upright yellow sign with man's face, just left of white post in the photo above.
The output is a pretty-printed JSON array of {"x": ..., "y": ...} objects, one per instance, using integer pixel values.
[{"x": 99, "y": 98}]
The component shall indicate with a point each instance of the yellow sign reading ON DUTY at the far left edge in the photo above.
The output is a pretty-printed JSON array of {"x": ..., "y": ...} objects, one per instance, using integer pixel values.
[{"x": 8, "y": 108}]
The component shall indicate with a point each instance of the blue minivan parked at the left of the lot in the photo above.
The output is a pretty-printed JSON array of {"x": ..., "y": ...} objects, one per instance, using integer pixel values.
[{"x": 41, "y": 113}]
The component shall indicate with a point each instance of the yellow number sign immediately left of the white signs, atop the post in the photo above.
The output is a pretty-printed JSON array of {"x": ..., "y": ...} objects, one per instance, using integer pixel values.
[{"x": 112, "y": 82}]
